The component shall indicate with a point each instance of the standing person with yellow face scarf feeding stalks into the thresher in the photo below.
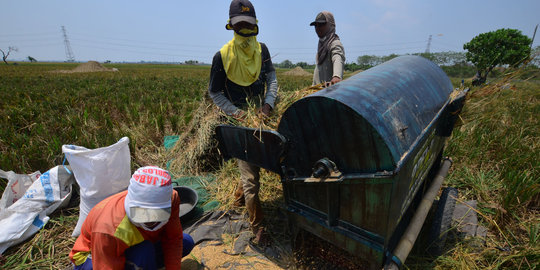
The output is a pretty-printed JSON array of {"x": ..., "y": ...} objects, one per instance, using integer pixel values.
[{"x": 241, "y": 70}]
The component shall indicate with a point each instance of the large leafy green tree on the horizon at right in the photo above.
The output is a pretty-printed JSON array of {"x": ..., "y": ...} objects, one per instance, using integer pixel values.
[{"x": 500, "y": 47}]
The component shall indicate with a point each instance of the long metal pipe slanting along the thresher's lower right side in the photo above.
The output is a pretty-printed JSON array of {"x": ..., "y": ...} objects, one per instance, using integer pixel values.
[{"x": 406, "y": 242}]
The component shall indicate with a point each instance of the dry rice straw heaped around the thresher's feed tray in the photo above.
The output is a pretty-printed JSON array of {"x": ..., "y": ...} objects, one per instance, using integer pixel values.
[{"x": 196, "y": 150}]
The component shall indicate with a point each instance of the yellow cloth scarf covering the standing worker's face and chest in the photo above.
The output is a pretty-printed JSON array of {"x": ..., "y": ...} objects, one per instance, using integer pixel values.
[{"x": 242, "y": 59}]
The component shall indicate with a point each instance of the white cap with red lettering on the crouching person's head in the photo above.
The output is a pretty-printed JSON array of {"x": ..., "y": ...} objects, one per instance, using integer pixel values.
[{"x": 149, "y": 195}]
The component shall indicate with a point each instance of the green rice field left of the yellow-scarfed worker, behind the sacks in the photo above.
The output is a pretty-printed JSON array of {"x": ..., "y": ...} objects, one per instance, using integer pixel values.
[{"x": 43, "y": 110}]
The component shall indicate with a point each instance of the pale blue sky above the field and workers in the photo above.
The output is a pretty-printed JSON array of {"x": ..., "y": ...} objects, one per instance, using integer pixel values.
[{"x": 177, "y": 31}]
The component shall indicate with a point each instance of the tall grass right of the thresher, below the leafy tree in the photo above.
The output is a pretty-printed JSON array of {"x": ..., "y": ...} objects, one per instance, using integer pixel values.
[{"x": 496, "y": 154}]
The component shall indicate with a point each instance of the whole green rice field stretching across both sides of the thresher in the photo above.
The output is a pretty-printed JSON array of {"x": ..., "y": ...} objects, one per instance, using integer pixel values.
[{"x": 495, "y": 148}]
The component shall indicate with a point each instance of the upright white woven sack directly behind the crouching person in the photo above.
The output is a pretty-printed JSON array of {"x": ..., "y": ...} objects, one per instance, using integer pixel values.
[{"x": 99, "y": 172}]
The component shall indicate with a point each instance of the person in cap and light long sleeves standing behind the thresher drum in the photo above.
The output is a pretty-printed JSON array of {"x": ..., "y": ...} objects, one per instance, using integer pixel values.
[{"x": 330, "y": 58}]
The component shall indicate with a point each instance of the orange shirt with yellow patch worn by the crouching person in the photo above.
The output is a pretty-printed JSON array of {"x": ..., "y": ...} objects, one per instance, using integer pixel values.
[{"x": 107, "y": 233}]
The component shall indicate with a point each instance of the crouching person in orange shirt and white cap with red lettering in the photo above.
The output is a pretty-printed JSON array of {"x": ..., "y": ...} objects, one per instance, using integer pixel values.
[{"x": 134, "y": 229}]
